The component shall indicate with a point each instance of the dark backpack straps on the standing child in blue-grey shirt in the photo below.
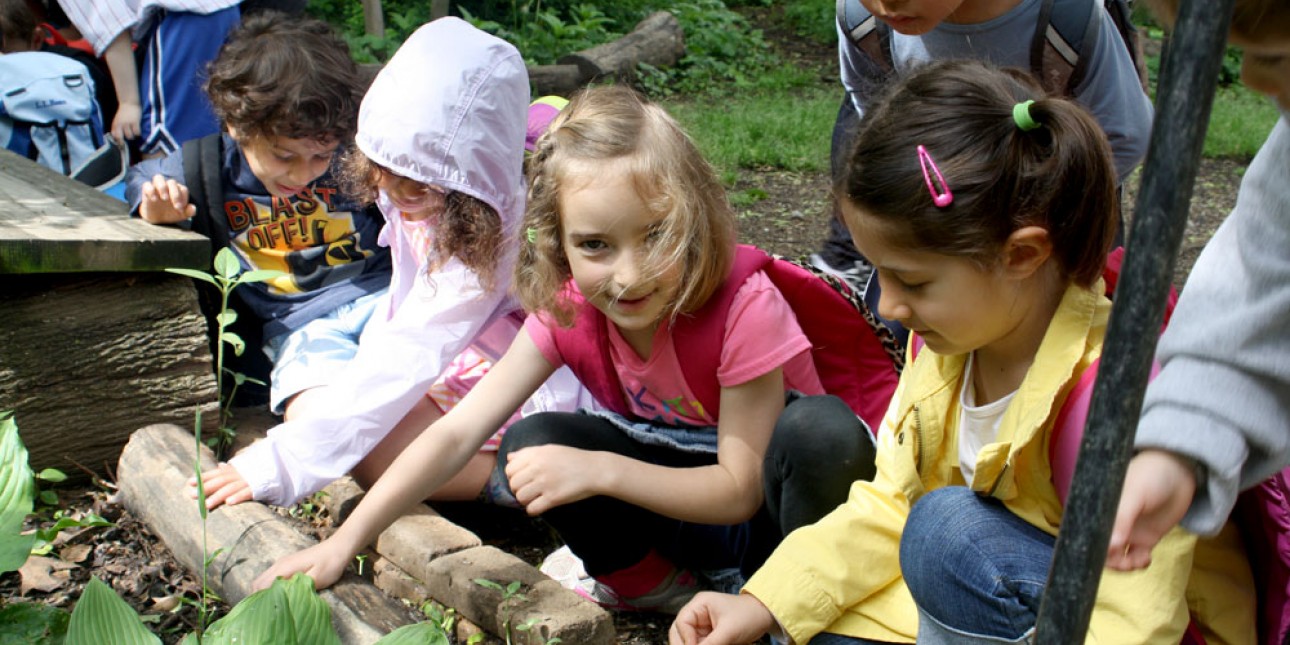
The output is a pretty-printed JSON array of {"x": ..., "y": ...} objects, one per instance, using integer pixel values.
[{"x": 1057, "y": 47}]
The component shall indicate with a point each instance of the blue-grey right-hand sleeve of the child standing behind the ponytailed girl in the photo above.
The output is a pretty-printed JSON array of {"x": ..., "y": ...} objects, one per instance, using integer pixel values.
[{"x": 1114, "y": 95}]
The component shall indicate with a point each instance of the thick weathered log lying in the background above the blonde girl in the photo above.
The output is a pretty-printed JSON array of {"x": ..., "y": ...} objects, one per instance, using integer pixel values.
[{"x": 659, "y": 41}]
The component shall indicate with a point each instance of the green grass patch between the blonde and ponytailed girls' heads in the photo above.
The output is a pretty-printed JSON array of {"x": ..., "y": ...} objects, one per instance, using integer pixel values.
[{"x": 782, "y": 131}]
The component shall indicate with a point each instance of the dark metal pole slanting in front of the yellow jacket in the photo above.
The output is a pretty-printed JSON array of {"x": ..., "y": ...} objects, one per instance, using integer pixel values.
[{"x": 1184, "y": 105}]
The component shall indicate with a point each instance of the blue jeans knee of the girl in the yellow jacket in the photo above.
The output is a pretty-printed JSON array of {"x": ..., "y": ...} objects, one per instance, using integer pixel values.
[{"x": 976, "y": 571}]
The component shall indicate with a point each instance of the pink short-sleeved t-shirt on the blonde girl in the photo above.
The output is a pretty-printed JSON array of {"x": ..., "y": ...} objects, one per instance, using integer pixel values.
[{"x": 762, "y": 335}]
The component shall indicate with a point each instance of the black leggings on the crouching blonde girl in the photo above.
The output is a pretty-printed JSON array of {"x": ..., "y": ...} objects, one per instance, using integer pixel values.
[{"x": 817, "y": 451}]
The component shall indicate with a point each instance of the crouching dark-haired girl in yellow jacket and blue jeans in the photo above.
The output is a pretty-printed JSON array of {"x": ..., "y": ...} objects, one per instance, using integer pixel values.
[{"x": 987, "y": 212}]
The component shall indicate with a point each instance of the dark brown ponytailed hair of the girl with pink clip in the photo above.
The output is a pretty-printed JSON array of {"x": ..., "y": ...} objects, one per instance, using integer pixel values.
[{"x": 1060, "y": 176}]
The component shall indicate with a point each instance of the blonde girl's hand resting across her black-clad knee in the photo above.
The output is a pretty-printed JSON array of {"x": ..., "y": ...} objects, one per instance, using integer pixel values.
[{"x": 546, "y": 477}]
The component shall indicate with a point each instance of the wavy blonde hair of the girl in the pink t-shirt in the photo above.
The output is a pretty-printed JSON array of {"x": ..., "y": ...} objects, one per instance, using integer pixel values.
[{"x": 615, "y": 128}]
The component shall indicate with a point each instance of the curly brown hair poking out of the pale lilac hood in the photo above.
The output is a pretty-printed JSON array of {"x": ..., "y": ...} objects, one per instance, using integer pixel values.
[{"x": 469, "y": 229}]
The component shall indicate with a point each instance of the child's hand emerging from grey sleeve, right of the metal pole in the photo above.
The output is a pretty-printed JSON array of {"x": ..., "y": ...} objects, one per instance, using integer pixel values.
[{"x": 1159, "y": 488}]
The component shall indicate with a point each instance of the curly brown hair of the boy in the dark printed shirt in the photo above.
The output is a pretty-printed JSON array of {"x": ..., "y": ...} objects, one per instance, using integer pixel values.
[{"x": 286, "y": 77}]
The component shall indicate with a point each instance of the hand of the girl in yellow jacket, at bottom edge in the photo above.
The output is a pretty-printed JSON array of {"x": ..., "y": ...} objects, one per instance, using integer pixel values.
[{"x": 713, "y": 619}]
